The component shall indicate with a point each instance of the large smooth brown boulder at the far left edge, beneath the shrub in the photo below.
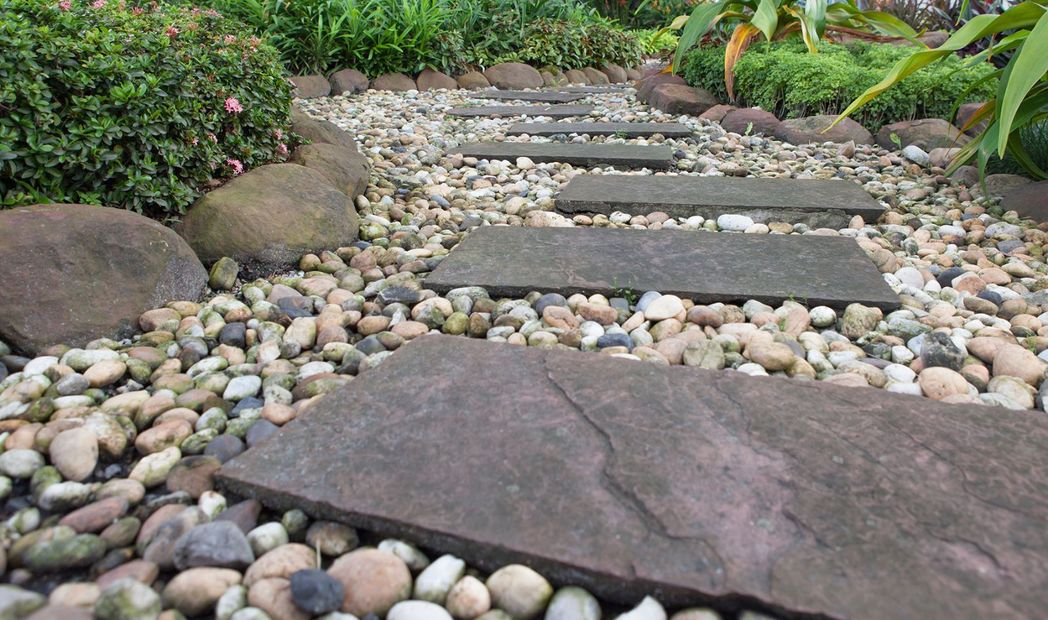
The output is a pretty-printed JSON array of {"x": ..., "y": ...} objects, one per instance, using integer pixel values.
[{"x": 73, "y": 274}]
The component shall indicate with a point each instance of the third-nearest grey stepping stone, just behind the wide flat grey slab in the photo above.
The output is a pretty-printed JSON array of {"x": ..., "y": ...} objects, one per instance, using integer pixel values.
[{"x": 816, "y": 203}]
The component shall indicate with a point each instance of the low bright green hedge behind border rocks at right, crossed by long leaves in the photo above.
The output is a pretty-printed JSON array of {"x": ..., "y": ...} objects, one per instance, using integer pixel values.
[{"x": 789, "y": 81}]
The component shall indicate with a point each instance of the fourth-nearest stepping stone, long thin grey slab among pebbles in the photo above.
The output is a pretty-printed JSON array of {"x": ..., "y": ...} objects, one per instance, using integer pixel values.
[{"x": 588, "y": 156}]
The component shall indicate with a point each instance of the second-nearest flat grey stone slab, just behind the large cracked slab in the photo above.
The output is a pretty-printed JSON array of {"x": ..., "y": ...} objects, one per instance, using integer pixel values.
[{"x": 706, "y": 268}]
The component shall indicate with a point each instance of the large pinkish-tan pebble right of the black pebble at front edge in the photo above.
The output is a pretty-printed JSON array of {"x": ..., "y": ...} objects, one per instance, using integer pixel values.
[{"x": 375, "y": 582}]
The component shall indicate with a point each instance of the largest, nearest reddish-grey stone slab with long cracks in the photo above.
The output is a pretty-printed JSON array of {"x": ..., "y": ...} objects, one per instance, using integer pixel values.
[{"x": 694, "y": 486}]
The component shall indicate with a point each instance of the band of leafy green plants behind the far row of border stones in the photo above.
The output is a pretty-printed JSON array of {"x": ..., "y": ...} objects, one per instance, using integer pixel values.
[{"x": 381, "y": 37}]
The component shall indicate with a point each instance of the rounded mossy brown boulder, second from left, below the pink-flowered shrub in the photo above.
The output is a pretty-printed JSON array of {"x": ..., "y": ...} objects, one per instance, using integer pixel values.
[{"x": 268, "y": 218}]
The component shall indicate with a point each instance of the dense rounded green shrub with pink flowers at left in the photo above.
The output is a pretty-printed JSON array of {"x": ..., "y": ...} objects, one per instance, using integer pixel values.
[{"x": 140, "y": 108}]
